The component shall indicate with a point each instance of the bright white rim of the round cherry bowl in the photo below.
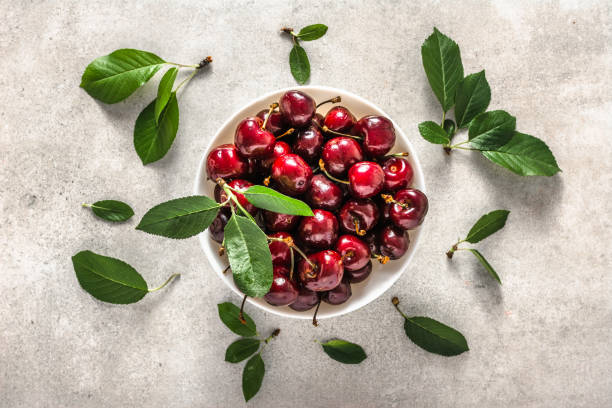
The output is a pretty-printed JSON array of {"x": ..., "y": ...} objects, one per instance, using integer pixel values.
[{"x": 204, "y": 238}]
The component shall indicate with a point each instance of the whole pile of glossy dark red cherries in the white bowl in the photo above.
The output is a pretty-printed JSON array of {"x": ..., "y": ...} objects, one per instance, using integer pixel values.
[{"x": 355, "y": 221}]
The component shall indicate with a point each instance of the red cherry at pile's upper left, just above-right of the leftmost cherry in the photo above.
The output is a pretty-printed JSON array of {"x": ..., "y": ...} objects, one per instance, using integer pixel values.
[{"x": 252, "y": 141}]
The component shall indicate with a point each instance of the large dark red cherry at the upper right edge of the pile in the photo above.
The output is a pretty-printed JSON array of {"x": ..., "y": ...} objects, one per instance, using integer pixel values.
[{"x": 378, "y": 135}]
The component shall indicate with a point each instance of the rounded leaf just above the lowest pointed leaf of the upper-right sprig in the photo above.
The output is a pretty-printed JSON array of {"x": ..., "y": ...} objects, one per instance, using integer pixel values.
[{"x": 491, "y": 130}]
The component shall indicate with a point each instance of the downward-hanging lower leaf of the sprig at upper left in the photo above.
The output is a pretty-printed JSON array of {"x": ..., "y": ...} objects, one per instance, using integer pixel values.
[{"x": 152, "y": 139}]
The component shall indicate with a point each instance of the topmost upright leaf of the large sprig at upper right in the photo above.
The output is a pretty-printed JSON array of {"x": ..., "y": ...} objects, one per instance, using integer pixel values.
[{"x": 443, "y": 67}]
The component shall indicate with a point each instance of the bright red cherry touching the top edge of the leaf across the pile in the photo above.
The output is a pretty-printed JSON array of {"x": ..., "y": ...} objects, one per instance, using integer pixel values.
[{"x": 291, "y": 174}]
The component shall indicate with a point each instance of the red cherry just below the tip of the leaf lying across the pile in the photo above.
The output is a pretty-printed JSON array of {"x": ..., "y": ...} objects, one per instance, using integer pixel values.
[{"x": 319, "y": 231}]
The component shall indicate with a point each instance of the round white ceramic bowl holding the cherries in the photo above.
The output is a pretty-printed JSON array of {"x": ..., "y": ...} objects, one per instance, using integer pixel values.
[{"x": 382, "y": 276}]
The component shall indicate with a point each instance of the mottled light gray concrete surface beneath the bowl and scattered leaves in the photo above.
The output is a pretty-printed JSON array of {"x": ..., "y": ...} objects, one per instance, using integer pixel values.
[{"x": 543, "y": 339}]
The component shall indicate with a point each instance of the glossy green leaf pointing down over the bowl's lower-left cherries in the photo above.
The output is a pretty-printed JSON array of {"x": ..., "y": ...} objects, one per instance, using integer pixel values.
[{"x": 249, "y": 256}]
